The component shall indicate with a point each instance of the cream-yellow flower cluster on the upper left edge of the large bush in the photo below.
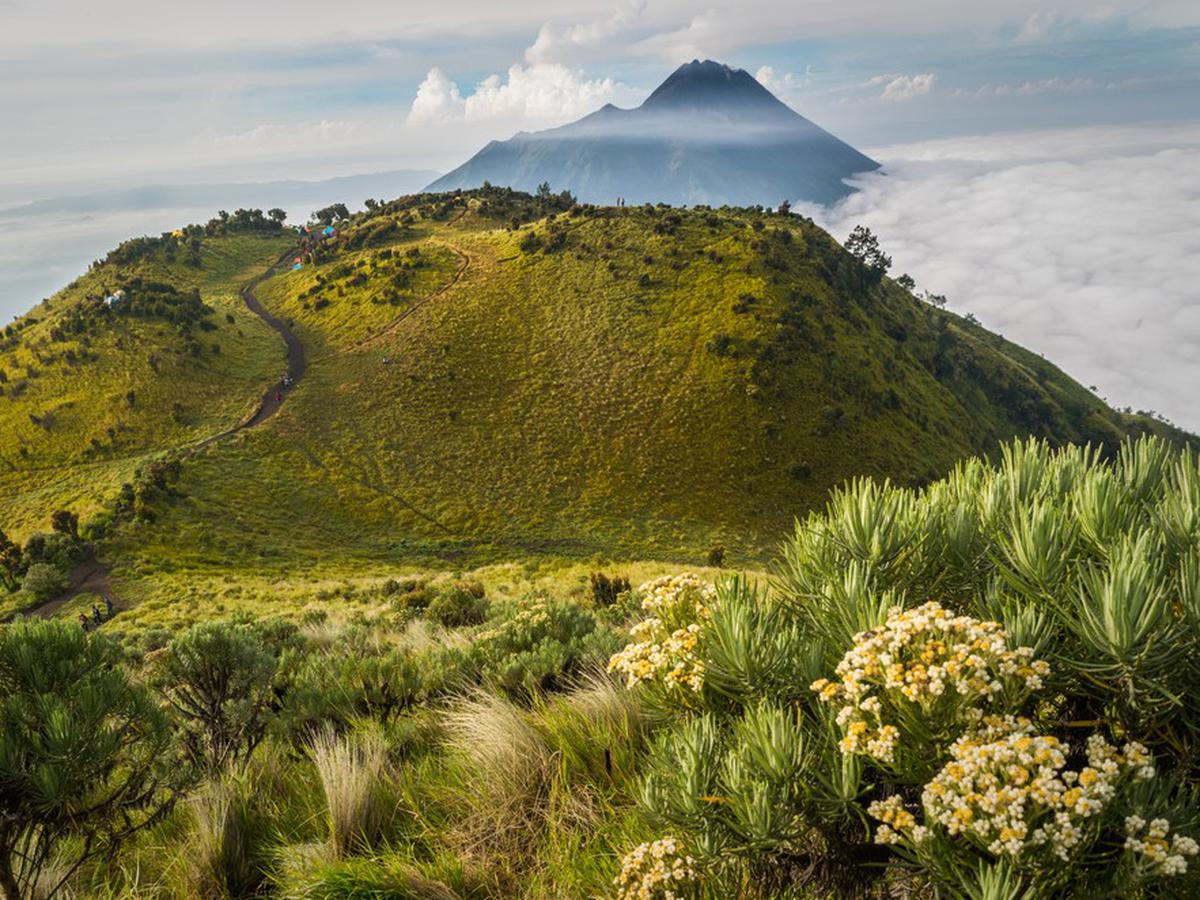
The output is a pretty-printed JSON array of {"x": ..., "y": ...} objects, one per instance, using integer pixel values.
[{"x": 664, "y": 645}]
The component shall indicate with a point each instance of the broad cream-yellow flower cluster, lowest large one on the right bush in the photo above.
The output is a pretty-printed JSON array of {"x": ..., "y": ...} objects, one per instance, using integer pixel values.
[{"x": 1015, "y": 795}]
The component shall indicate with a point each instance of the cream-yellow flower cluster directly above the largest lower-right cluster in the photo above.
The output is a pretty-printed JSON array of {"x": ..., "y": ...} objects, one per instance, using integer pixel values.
[{"x": 947, "y": 665}]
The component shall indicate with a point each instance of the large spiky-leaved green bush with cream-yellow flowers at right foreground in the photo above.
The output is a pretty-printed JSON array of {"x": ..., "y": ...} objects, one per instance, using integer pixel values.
[{"x": 985, "y": 689}]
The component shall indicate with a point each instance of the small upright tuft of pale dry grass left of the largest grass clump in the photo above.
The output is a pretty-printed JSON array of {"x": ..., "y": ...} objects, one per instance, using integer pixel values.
[{"x": 352, "y": 769}]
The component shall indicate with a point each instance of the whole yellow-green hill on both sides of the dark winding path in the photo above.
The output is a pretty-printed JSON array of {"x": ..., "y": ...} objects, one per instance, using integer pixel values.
[{"x": 496, "y": 376}]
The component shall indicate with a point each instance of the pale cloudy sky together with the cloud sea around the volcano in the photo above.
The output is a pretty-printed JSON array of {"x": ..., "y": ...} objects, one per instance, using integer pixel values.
[{"x": 1040, "y": 159}]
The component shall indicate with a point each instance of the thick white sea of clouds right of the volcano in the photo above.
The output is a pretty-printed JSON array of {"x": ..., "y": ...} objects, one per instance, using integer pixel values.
[{"x": 1083, "y": 245}]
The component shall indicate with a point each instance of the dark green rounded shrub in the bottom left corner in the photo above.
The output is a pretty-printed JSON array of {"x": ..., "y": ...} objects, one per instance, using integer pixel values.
[{"x": 83, "y": 755}]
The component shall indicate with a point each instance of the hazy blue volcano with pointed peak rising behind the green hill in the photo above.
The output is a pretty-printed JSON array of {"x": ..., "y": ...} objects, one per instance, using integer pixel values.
[{"x": 709, "y": 135}]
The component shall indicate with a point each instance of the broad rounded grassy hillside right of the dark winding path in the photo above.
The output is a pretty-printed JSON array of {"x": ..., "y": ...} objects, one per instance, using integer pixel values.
[{"x": 580, "y": 381}]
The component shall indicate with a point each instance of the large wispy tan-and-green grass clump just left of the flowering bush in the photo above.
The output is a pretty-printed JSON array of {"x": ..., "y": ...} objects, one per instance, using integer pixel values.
[{"x": 542, "y": 794}]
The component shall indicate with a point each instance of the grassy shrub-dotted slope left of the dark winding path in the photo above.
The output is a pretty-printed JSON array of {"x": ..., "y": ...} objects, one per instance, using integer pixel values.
[{"x": 89, "y": 391}]
